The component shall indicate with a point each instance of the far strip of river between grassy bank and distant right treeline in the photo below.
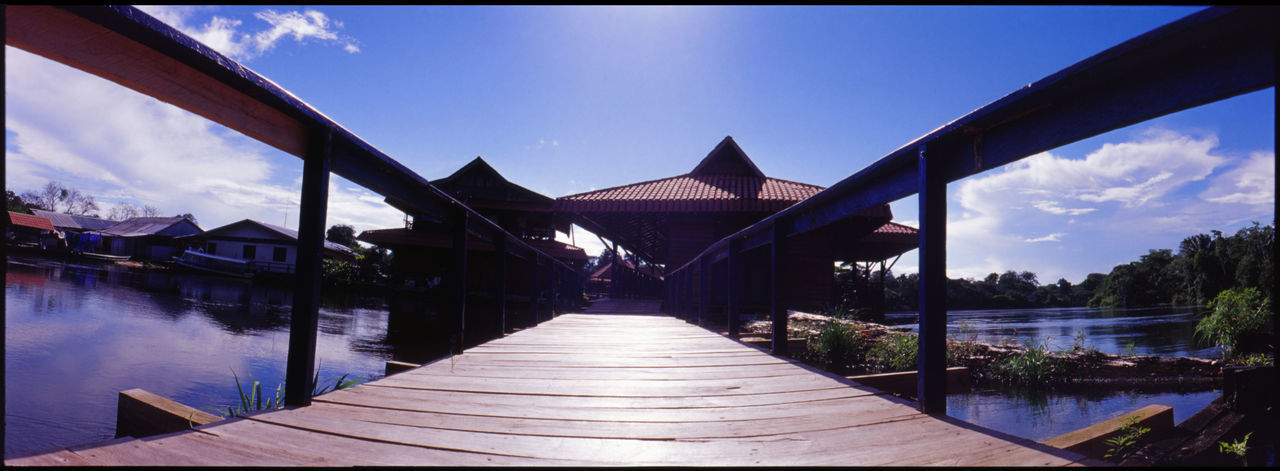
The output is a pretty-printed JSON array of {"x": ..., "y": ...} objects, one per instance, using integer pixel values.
[{"x": 1155, "y": 331}]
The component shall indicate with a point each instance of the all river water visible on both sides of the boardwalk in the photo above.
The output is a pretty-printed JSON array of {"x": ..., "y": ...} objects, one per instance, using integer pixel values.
[{"x": 80, "y": 332}]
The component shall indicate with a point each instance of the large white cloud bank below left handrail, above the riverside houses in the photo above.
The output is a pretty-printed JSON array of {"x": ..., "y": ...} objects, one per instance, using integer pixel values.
[{"x": 121, "y": 147}]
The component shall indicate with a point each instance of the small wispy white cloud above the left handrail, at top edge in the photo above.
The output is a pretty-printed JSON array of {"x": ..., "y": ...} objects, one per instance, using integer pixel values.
[{"x": 225, "y": 36}]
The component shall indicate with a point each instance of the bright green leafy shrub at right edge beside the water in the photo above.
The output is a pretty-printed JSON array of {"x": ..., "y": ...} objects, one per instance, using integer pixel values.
[{"x": 1233, "y": 317}]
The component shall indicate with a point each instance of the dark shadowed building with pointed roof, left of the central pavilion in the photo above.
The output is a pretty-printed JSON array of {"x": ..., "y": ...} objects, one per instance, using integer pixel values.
[{"x": 422, "y": 249}]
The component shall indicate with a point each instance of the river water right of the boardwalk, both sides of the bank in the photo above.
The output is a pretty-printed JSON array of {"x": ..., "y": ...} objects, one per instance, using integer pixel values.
[{"x": 1040, "y": 415}]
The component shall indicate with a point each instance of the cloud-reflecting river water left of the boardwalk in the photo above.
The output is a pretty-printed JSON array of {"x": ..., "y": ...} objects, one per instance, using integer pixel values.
[{"x": 80, "y": 332}]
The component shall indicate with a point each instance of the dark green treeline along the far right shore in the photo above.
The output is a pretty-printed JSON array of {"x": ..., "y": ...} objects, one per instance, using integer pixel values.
[{"x": 1204, "y": 267}]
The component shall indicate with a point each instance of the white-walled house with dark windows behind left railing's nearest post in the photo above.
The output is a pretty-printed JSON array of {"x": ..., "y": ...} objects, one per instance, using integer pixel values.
[{"x": 267, "y": 248}]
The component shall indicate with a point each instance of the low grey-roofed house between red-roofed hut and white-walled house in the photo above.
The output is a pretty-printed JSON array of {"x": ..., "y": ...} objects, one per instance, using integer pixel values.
[{"x": 149, "y": 239}]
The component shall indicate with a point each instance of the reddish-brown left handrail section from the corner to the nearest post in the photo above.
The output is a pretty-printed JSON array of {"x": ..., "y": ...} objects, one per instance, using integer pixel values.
[{"x": 127, "y": 54}]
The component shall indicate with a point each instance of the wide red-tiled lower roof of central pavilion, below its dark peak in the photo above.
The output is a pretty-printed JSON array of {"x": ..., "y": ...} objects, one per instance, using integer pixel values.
[{"x": 692, "y": 193}]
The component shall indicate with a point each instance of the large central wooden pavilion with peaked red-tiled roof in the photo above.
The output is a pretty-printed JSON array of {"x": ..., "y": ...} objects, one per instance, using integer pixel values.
[{"x": 671, "y": 221}]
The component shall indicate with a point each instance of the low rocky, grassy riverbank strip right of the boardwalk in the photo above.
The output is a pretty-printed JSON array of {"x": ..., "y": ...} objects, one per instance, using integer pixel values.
[{"x": 870, "y": 347}]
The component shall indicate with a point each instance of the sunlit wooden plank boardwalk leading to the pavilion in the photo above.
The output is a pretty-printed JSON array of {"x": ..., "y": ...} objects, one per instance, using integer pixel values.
[{"x": 589, "y": 390}]
